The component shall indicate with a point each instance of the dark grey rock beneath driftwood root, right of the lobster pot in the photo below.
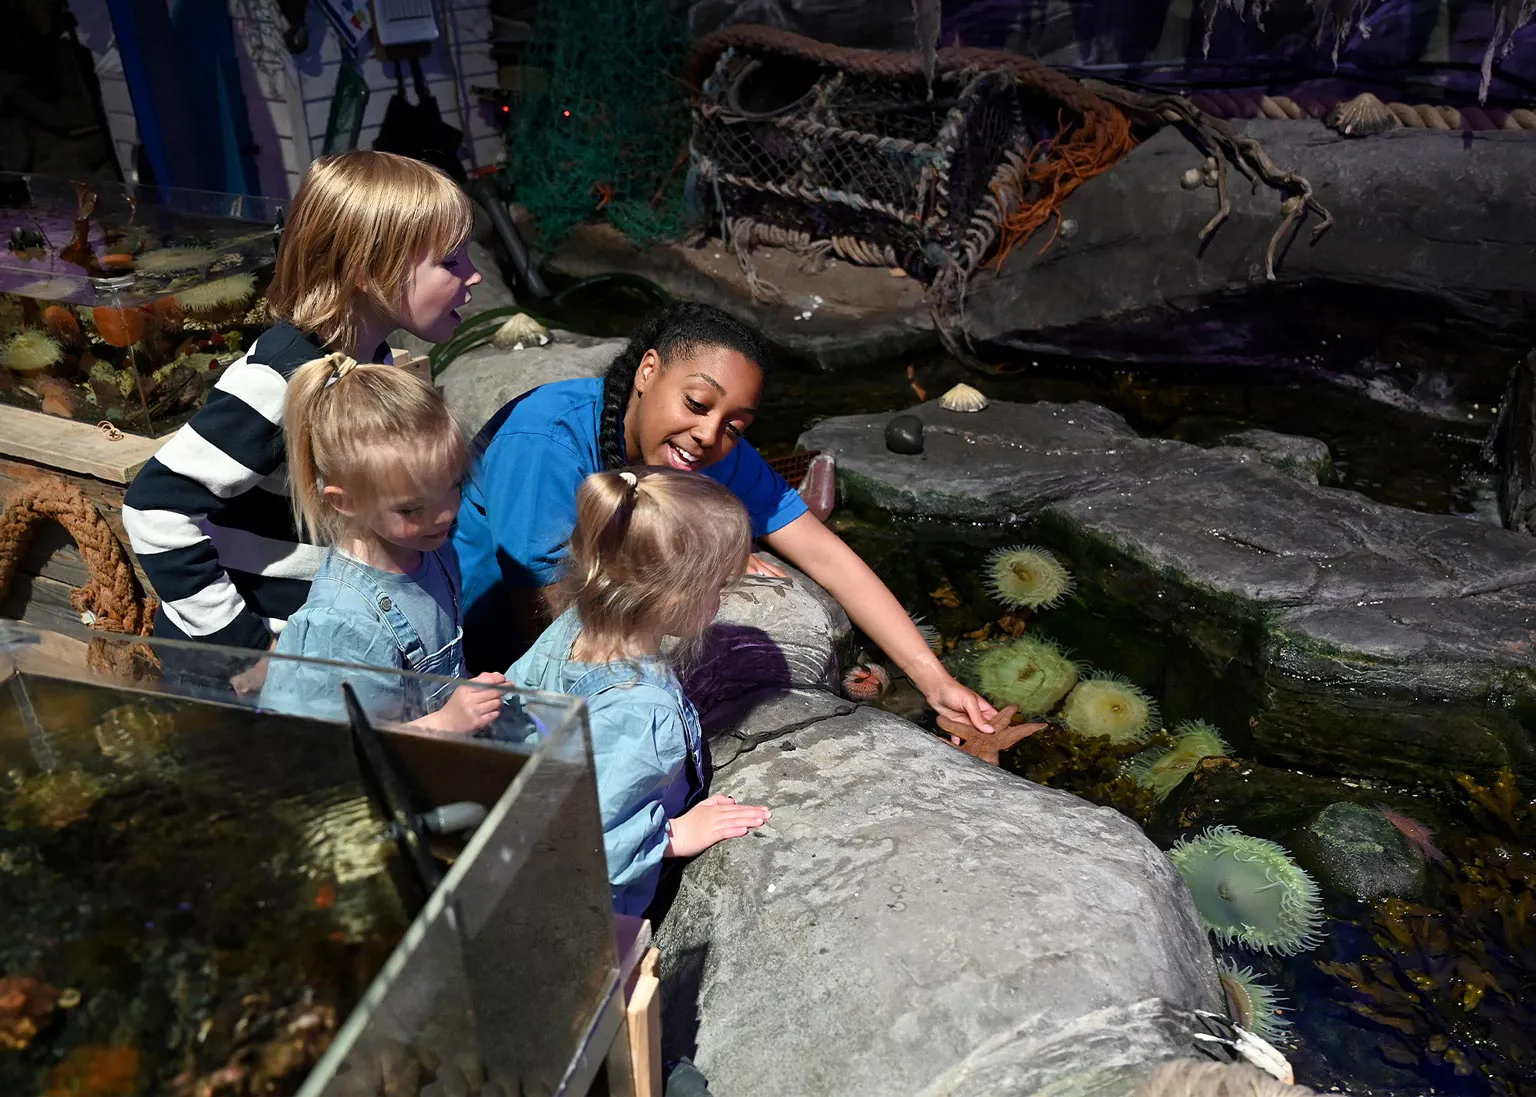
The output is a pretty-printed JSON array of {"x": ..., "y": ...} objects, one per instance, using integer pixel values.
[{"x": 1423, "y": 211}]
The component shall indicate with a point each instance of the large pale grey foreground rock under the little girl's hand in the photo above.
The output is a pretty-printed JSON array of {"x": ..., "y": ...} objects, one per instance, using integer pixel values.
[{"x": 916, "y": 921}]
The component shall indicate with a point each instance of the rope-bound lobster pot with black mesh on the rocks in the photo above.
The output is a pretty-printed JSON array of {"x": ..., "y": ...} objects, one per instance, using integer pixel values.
[{"x": 869, "y": 168}]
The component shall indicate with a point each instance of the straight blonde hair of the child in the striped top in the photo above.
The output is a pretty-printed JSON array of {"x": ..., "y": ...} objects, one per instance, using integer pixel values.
[{"x": 359, "y": 225}]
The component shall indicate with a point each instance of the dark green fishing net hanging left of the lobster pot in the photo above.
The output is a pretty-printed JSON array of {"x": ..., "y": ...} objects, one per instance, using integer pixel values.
[{"x": 604, "y": 139}]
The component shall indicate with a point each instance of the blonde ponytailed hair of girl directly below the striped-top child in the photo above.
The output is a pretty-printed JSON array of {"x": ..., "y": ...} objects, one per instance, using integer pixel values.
[{"x": 363, "y": 426}]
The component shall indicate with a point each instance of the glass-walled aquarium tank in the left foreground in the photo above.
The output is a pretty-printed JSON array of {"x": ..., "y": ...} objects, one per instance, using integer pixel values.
[{"x": 207, "y": 898}]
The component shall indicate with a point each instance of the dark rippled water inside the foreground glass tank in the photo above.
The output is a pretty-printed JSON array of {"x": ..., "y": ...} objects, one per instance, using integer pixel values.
[{"x": 176, "y": 903}]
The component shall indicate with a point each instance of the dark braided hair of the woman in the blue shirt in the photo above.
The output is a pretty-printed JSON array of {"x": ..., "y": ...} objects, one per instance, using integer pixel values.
[{"x": 677, "y": 330}]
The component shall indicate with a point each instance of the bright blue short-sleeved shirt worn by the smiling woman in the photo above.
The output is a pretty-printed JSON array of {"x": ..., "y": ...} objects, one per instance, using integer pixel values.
[{"x": 520, "y": 503}]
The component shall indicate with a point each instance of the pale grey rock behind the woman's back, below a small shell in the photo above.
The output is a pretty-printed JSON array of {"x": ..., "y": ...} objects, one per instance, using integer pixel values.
[{"x": 480, "y": 382}]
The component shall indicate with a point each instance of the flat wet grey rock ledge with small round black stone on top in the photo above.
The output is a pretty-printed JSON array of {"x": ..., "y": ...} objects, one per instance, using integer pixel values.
[{"x": 1357, "y": 638}]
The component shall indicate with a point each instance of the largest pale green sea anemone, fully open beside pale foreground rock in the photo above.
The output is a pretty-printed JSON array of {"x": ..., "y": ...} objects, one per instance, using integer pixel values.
[{"x": 1248, "y": 890}]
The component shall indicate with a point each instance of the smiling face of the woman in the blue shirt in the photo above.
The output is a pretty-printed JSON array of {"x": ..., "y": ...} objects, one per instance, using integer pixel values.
[{"x": 690, "y": 413}]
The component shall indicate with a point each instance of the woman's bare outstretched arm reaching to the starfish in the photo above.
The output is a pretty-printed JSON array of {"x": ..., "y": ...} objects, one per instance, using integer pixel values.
[{"x": 824, "y": 557}]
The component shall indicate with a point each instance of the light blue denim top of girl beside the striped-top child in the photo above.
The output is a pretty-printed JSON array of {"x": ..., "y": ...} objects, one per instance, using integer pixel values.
[{"x": 371, "y": 618}]
